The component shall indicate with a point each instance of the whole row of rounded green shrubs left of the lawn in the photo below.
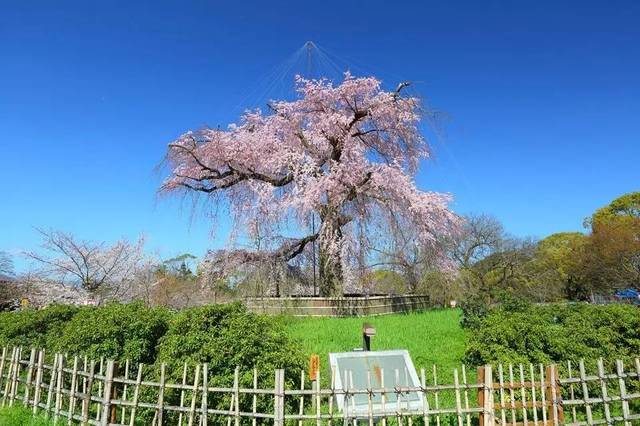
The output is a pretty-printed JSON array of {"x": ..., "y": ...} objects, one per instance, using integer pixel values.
[{"x": 224, "y": 336}]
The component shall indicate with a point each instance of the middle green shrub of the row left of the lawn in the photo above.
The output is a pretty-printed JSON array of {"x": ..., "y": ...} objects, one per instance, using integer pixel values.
[{"x": 115, "y": 331}]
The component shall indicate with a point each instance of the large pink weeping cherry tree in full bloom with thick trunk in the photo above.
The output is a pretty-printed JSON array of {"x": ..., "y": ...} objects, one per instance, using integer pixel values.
[{"x": 345, "y": 155}]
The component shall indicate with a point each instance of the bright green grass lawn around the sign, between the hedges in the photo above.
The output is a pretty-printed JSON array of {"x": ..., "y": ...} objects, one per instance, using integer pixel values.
[{"x": 432, "y": 337}]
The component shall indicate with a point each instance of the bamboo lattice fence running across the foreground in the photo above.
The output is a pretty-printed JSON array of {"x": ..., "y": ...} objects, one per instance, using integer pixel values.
[{"x": 76, "y": 390}]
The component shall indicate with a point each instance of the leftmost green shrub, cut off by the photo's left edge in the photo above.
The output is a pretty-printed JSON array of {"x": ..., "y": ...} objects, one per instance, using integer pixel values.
[{"x": 34, "y": 328}]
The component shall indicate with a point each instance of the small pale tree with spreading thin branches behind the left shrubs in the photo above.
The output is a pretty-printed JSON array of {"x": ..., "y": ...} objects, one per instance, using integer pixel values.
[{"x": 96, "y": 267}]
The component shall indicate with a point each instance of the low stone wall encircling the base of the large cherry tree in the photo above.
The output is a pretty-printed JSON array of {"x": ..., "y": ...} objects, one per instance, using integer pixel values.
[{"x": 337, "y": 306}]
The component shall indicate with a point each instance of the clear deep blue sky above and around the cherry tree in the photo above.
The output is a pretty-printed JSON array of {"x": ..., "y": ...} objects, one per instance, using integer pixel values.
[{"x": 542, "y": 99}]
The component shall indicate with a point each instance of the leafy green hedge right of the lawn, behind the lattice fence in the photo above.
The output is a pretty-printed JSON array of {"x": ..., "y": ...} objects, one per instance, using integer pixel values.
[{"x": 555, "y": 334}]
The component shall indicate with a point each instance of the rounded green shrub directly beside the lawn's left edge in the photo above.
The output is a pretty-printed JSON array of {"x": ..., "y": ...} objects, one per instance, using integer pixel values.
[{"x": 226, "y": 337}]
